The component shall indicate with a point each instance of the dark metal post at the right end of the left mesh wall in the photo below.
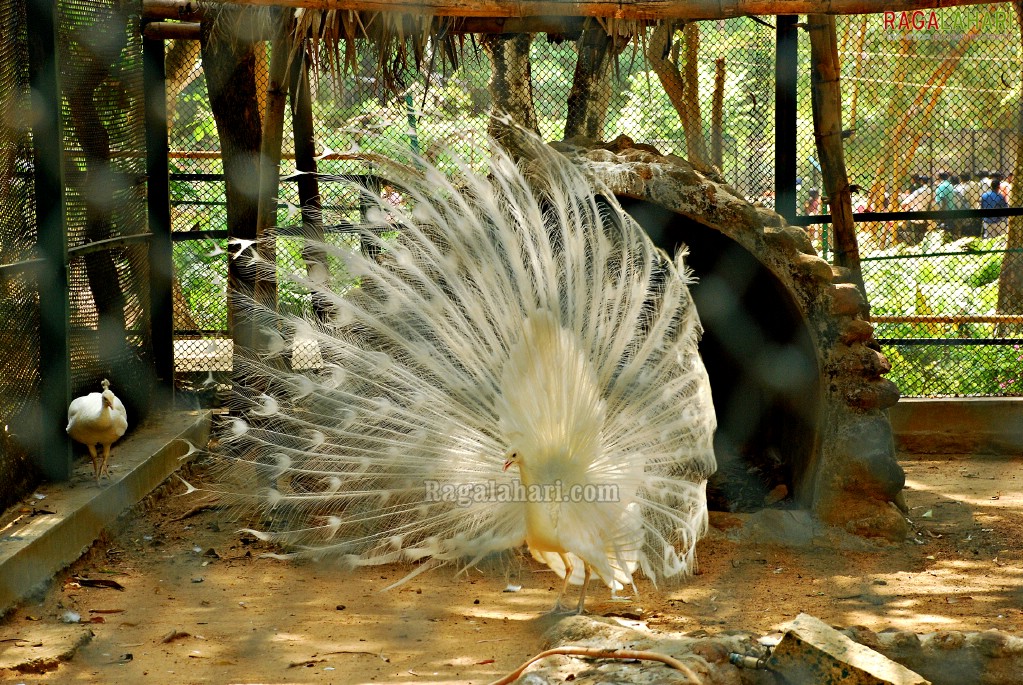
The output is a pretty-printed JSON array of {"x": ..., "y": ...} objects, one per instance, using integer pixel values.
[{"x": 159, "y": 203}]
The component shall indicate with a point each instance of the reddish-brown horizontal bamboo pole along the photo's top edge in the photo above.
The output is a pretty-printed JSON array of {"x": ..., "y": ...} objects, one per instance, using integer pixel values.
[{"x": 621, "y": 10}]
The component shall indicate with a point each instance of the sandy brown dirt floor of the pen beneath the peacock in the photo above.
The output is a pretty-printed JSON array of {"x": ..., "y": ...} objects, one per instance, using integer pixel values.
[{"x": 199, "y": 605}]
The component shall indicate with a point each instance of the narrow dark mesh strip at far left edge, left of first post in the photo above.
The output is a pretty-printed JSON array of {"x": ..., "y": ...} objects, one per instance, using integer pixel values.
[{"x": 19, "y": 302}]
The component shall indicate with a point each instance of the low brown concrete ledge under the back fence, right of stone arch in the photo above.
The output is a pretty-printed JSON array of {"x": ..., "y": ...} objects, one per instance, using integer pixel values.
[{"x": 959, "y": 426}]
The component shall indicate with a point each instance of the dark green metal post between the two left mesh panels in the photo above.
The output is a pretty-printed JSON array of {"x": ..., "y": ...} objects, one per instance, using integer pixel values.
[{"x": 54, "y": 454}]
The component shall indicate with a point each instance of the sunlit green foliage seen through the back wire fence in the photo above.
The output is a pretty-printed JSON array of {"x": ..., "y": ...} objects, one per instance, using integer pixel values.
[{"x": 352, "y": 112}]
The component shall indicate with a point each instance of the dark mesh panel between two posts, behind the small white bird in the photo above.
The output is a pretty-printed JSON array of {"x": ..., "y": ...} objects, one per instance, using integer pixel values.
[{"x": 101, "y": 54}]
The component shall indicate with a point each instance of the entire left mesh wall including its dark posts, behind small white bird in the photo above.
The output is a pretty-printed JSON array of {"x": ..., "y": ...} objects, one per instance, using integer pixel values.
[{"x": 74, "y": 254}]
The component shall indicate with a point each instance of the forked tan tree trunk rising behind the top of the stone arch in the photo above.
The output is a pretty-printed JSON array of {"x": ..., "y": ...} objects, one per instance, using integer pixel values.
[{"x": 682, "y": 90}]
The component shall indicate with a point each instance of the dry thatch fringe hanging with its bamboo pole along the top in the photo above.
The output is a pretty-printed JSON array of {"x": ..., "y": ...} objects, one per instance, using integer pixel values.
[{"x": 411, "y": 35}]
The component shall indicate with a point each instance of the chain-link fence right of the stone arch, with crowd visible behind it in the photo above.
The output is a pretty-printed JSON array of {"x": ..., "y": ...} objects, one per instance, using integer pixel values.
[{"x": 932, "y": 120}]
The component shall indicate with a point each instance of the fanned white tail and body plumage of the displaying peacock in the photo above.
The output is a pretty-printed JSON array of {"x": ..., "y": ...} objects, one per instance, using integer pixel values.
[{"x": 514, "y": 317}]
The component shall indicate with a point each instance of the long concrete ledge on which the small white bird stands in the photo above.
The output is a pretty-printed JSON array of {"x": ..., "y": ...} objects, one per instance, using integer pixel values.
[{"x": 34, "y": 547}]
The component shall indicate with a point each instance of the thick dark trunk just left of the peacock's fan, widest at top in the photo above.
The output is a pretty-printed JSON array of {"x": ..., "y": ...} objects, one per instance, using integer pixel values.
[{"x": 230, "y": 66}]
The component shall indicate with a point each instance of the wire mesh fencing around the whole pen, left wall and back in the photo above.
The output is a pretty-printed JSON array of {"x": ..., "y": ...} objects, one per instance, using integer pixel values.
[{"x": 932, "y": 117}]
